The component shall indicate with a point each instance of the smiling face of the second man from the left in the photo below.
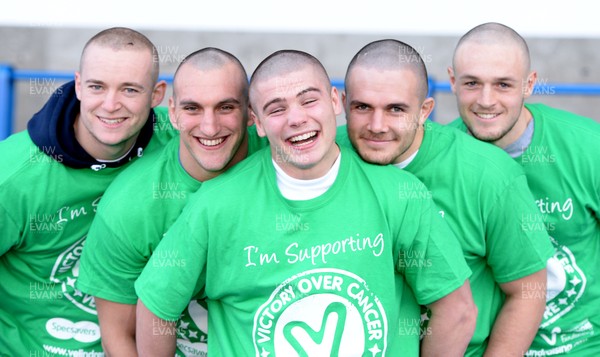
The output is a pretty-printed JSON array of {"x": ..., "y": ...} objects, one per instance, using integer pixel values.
[{"x": 209, "y": 108}]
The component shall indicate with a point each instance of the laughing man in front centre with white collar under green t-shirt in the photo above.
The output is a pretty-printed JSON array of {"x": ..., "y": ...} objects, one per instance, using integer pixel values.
[{"x": 304, "y": 249}]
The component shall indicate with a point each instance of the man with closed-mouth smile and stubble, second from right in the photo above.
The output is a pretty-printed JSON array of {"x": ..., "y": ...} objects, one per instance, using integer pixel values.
[{"x": 481, "y": 193}]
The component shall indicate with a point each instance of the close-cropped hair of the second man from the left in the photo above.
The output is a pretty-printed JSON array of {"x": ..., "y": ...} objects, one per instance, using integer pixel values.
[{"x": 211, "y": 58}]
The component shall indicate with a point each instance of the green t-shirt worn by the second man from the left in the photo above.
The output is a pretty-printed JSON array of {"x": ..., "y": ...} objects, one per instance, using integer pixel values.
[{"x": 134, "y": 214}]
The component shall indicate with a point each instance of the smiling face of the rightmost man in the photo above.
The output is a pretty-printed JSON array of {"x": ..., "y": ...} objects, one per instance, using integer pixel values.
[{"x": 491, "y": 82}]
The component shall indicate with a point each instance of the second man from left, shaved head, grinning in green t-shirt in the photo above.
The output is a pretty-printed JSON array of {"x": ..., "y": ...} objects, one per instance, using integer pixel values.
[{"x": 209, "y": 109}]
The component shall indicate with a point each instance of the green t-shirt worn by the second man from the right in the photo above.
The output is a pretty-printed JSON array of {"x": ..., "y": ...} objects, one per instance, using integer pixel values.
[{"x": 484, "y": 197}]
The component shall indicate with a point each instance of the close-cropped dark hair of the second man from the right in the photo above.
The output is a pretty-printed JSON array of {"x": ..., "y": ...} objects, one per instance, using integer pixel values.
[{"x": 391, "y": 55}]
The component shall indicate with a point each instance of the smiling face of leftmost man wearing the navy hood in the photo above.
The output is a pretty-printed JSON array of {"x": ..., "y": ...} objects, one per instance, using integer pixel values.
[{"x": 117, "y": 91}]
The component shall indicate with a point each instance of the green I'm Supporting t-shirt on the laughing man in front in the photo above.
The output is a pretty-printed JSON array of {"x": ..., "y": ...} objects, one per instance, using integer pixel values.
[{"x": 323, "y": 276}]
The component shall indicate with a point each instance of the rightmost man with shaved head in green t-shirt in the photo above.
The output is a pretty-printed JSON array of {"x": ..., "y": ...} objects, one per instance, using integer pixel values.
[{"x": 491, "y": 78}]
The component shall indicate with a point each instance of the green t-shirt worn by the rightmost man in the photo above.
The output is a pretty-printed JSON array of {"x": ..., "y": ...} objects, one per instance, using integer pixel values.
[{"x": 562, "y": 165}]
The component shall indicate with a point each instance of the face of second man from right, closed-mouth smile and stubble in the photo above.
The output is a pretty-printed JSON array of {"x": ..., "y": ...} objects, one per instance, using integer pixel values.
[{"x": 385, "y": 113}]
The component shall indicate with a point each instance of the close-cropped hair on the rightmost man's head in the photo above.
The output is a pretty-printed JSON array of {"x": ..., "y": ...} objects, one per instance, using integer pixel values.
[{"x": 497, "y": 34}]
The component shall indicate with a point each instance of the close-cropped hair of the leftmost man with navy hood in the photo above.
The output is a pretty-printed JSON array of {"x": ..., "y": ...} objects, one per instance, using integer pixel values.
[{"x": 123, "y": 39}]
